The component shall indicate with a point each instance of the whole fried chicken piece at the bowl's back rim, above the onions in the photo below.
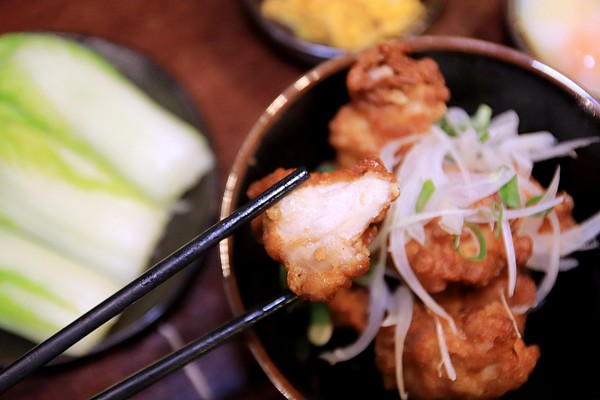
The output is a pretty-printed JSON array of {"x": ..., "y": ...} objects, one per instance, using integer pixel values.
[{"x": 392, "y": 95}]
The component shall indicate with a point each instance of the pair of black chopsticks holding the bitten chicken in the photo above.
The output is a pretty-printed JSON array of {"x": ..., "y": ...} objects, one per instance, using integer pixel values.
[{"x": 115, "y": 304}]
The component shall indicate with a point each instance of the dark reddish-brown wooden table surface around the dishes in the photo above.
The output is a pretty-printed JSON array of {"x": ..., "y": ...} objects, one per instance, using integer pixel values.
[{"x": 232, "y": 75}]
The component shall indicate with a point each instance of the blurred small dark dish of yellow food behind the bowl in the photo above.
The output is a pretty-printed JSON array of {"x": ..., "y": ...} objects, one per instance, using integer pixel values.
[{"x": 340, "y": 26}]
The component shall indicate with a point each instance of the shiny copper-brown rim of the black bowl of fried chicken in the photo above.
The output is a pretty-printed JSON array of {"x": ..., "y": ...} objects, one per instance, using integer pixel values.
[{"x": 244, "y": 158}]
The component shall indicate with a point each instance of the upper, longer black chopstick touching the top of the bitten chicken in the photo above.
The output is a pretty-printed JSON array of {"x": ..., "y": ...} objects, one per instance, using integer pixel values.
[{"x": 115, "y": 304}]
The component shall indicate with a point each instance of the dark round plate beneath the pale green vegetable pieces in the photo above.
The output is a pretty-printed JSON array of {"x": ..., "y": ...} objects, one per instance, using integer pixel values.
[{"x": 184, "y": 226}]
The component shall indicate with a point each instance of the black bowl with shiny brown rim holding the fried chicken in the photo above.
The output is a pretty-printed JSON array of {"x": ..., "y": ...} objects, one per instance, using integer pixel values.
[{"x": 293, "y": 132}]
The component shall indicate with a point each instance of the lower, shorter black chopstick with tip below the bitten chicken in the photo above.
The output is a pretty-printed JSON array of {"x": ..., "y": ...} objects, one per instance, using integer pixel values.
[{"x": 168, "y": 364}]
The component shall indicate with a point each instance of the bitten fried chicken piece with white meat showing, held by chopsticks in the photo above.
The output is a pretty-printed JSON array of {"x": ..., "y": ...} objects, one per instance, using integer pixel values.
[{"x": 321, "y": 230}]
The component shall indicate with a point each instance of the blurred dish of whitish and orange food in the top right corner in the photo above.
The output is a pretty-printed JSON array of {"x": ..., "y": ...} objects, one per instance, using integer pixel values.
[{"x": 561, "y": 34}]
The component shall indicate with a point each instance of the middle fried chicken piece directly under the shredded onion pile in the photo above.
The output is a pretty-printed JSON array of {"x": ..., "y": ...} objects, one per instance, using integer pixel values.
[{"x": 437, "y": 263}]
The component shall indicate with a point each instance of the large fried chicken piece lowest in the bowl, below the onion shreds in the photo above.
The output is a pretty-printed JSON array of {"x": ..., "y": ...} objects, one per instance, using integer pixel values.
[{"x": 489, "y": 355}]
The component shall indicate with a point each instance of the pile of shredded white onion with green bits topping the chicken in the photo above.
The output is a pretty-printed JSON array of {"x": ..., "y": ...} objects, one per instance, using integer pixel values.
[{"x": 445, "y": 176}]
